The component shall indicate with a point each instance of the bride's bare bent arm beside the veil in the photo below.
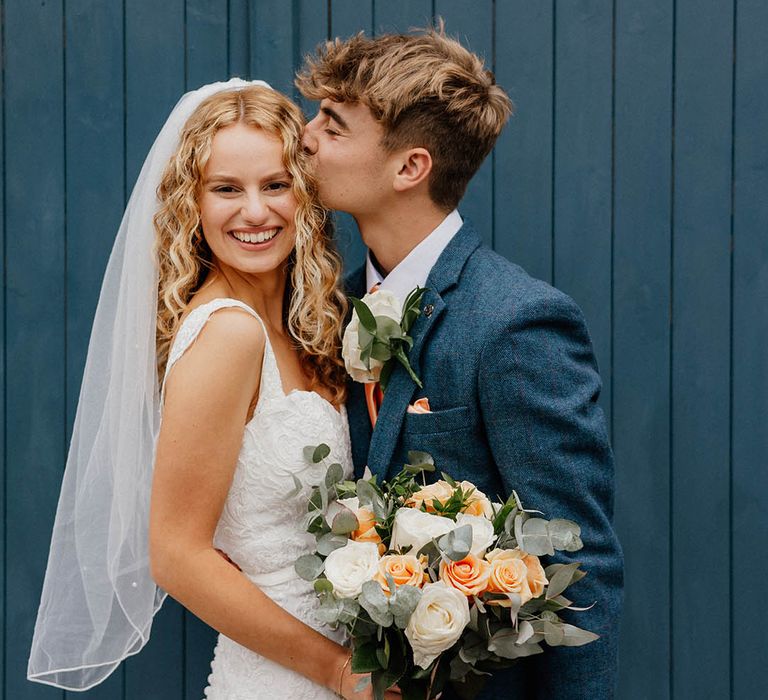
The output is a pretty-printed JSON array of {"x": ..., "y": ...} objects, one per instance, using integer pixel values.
[{"x": 207, "y": 399}]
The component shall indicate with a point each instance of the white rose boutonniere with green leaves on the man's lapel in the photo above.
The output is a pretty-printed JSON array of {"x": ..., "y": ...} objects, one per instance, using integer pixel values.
[{"x": 377, "y": 336}]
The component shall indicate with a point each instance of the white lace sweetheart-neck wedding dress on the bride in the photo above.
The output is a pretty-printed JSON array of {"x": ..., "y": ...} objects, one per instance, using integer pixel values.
[{"x": 261, "y": 528}]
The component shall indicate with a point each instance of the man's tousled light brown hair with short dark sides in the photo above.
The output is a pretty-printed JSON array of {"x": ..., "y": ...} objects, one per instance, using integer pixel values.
[{"x": 426, "y": 90}]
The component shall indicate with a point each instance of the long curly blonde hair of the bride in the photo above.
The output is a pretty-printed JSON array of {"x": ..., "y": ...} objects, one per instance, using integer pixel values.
[{"x": 315, "y": 306}]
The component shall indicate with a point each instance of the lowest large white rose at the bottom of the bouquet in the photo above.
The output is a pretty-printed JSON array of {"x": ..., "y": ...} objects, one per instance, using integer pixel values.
[{"x": 437, "y": 622}]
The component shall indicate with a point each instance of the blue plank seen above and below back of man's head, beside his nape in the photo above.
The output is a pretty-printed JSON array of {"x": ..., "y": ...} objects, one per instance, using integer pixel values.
[{"x": 472, "y": 25}]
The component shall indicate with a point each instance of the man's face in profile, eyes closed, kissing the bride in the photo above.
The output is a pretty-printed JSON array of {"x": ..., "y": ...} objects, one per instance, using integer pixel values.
[{"x": 352, "y": 168}]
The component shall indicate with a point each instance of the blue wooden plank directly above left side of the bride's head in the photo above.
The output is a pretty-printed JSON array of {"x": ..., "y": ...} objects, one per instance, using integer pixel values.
[{"x": 206, "y": 42}]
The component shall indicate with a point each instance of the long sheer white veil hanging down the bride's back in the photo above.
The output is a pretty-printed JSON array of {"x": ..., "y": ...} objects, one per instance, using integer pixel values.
[{"x": 99, "y": 598}]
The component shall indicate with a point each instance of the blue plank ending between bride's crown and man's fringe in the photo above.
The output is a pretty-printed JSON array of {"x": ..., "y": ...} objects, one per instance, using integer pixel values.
[{"x": 273, "y": 36}]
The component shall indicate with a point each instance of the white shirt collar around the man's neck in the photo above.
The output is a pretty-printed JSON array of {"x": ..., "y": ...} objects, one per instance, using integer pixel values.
[{"x": 414, "y": 269}]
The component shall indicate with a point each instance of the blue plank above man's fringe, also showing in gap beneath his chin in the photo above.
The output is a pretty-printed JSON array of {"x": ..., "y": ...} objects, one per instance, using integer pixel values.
[{"x": 348, "y": 17}]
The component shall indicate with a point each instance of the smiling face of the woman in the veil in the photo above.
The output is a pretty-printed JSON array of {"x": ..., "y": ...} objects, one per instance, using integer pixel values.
[{"x": 247, "y": 205}]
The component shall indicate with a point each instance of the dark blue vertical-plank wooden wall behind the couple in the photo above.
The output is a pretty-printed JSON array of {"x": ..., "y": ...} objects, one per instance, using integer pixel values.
[{"x": 634, "y": 176}]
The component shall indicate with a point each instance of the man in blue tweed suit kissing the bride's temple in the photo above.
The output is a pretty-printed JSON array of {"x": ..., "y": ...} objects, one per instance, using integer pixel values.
[{"x": 505, "y": 360}]
